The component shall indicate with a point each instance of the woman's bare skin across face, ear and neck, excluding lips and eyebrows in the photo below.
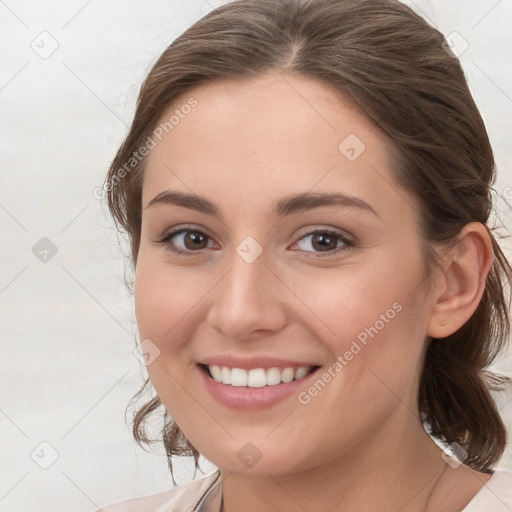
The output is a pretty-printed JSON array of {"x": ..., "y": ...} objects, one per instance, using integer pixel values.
[{"x": 243, "y": 146}]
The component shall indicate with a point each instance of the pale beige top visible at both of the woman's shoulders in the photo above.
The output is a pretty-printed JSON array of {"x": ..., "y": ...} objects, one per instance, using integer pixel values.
[{"x": 205, "y": 495}]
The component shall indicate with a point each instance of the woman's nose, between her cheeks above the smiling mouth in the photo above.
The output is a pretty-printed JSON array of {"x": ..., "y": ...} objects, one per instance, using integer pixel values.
[{"x": 251, "y": 298}]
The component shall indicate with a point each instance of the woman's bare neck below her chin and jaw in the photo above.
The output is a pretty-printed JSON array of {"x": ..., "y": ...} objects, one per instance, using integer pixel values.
[{"x": 397, "y": 469}]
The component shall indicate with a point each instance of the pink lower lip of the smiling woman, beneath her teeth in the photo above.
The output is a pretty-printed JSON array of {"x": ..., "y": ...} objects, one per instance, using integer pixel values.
[{"x": 252, "y": 399}]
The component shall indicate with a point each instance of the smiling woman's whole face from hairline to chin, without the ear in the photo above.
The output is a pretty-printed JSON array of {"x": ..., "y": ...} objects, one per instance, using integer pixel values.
[{"x": 336, "y": 285}]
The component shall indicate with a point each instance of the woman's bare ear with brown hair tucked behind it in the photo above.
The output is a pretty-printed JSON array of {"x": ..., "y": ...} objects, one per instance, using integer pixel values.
[{"x": 462, "y": 281}]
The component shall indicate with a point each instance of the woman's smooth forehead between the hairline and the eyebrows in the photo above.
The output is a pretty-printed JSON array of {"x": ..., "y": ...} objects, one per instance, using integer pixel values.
[{"x": 267, "y": 137}]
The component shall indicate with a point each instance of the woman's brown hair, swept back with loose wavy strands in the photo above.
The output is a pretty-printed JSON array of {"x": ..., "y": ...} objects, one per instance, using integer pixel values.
[{"x": 402, "y": 74}]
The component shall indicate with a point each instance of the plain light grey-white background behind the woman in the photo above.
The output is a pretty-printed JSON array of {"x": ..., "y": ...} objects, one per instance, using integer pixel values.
[{"x": 67, "y": 370}]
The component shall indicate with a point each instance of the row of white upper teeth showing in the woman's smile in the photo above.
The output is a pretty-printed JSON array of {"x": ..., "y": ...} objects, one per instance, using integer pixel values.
[{"x": 257, "y": 377}]
